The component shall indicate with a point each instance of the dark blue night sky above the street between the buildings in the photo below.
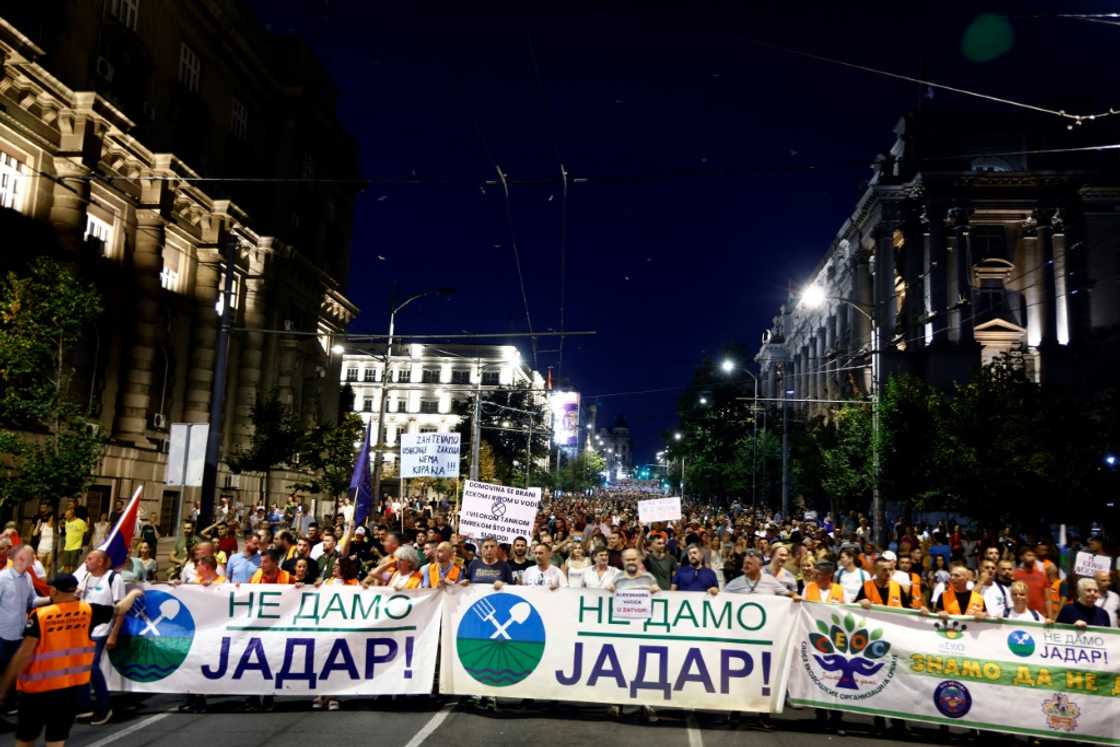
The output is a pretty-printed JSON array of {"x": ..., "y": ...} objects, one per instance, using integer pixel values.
[{"x": 717, "y": 171}]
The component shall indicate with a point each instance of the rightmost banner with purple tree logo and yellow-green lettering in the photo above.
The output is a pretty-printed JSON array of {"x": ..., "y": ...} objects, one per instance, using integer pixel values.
[{"x": 1022, "y": 678}]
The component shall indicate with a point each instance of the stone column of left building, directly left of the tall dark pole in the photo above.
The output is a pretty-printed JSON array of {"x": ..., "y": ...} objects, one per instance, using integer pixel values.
[{"x": 201, "y": 376}]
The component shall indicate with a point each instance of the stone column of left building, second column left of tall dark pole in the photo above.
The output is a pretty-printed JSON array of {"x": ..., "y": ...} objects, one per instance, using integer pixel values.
[{"x": 136, "y": 394}]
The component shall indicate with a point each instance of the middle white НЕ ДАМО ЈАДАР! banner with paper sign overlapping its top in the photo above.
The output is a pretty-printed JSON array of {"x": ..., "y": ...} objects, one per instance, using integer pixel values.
[{"x": 695, "y": 651}]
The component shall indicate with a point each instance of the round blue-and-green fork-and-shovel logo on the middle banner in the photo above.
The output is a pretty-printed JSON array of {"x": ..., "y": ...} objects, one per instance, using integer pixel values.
[{"x": 501, "y": 640}]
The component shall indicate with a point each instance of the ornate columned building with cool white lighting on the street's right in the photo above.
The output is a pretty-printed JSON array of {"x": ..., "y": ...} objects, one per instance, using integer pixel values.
[{"x": 978, "y": 236}]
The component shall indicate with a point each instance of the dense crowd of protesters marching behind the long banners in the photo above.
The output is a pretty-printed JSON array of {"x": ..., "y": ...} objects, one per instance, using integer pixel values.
[{"x": 583, "y": 543}]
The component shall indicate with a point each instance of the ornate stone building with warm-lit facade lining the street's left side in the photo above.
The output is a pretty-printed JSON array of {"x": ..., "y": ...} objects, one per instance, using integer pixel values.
[{"x": 120, "y": 123}]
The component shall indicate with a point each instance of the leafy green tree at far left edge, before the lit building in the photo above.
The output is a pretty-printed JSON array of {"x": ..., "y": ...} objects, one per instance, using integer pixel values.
[{"x": 50, "y": 447}]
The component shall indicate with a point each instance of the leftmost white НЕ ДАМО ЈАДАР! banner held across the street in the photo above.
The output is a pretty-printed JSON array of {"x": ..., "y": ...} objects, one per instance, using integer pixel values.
[{"x": 278, "y": 640}]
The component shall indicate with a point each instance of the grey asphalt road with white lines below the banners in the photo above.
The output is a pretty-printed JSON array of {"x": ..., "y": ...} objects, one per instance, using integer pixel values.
[{"x": 415, "y": 722}]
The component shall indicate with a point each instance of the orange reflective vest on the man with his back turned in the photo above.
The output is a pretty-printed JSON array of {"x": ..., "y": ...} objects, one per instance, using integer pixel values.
[{"x": 64, "y": 656}]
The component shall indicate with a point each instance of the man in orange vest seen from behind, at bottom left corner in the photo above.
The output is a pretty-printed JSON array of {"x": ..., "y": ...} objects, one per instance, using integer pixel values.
[{"x": 55, "y": 660}]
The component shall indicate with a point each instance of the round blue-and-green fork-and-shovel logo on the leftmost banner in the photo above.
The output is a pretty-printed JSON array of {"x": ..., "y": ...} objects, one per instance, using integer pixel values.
[{"x": 155, "y": 638}]
